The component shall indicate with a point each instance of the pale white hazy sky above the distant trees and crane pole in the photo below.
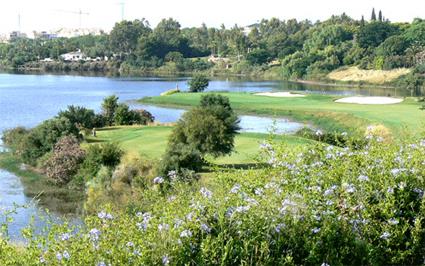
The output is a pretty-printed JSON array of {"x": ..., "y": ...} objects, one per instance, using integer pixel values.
[{"x": 52, "y": 14}]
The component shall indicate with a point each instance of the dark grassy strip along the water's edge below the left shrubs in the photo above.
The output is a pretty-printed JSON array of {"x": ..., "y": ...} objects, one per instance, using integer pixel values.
[{"x": 60, "y": 199}]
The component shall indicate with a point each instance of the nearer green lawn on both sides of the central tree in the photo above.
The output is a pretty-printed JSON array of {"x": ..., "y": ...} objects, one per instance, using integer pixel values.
[{"x": 151, "y": 142}]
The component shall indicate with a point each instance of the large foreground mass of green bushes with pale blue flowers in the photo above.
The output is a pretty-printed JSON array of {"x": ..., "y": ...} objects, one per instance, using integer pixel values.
[{"x": 320, "y": 205}]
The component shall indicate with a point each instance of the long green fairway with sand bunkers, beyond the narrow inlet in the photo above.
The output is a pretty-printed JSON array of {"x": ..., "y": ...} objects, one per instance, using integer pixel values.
[{"x": 321, "y": 110}]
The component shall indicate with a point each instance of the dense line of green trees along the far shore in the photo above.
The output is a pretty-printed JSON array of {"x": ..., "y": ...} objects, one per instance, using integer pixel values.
[{"x": 300, "y": 49}]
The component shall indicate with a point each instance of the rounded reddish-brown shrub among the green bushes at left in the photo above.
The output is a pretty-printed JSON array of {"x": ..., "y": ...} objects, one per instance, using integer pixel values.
[{"x": 63, "y": 164}]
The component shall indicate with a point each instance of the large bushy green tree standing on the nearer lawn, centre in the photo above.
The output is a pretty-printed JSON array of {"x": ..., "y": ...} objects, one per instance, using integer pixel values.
[{"x": 207, "y": 129}]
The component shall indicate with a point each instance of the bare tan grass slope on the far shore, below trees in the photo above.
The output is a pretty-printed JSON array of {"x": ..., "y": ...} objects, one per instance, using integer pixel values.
[{"x": 370, "y": 76}]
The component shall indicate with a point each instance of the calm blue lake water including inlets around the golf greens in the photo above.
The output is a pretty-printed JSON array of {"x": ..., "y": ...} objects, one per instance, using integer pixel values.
[{"x": 26, "y": 100}]
